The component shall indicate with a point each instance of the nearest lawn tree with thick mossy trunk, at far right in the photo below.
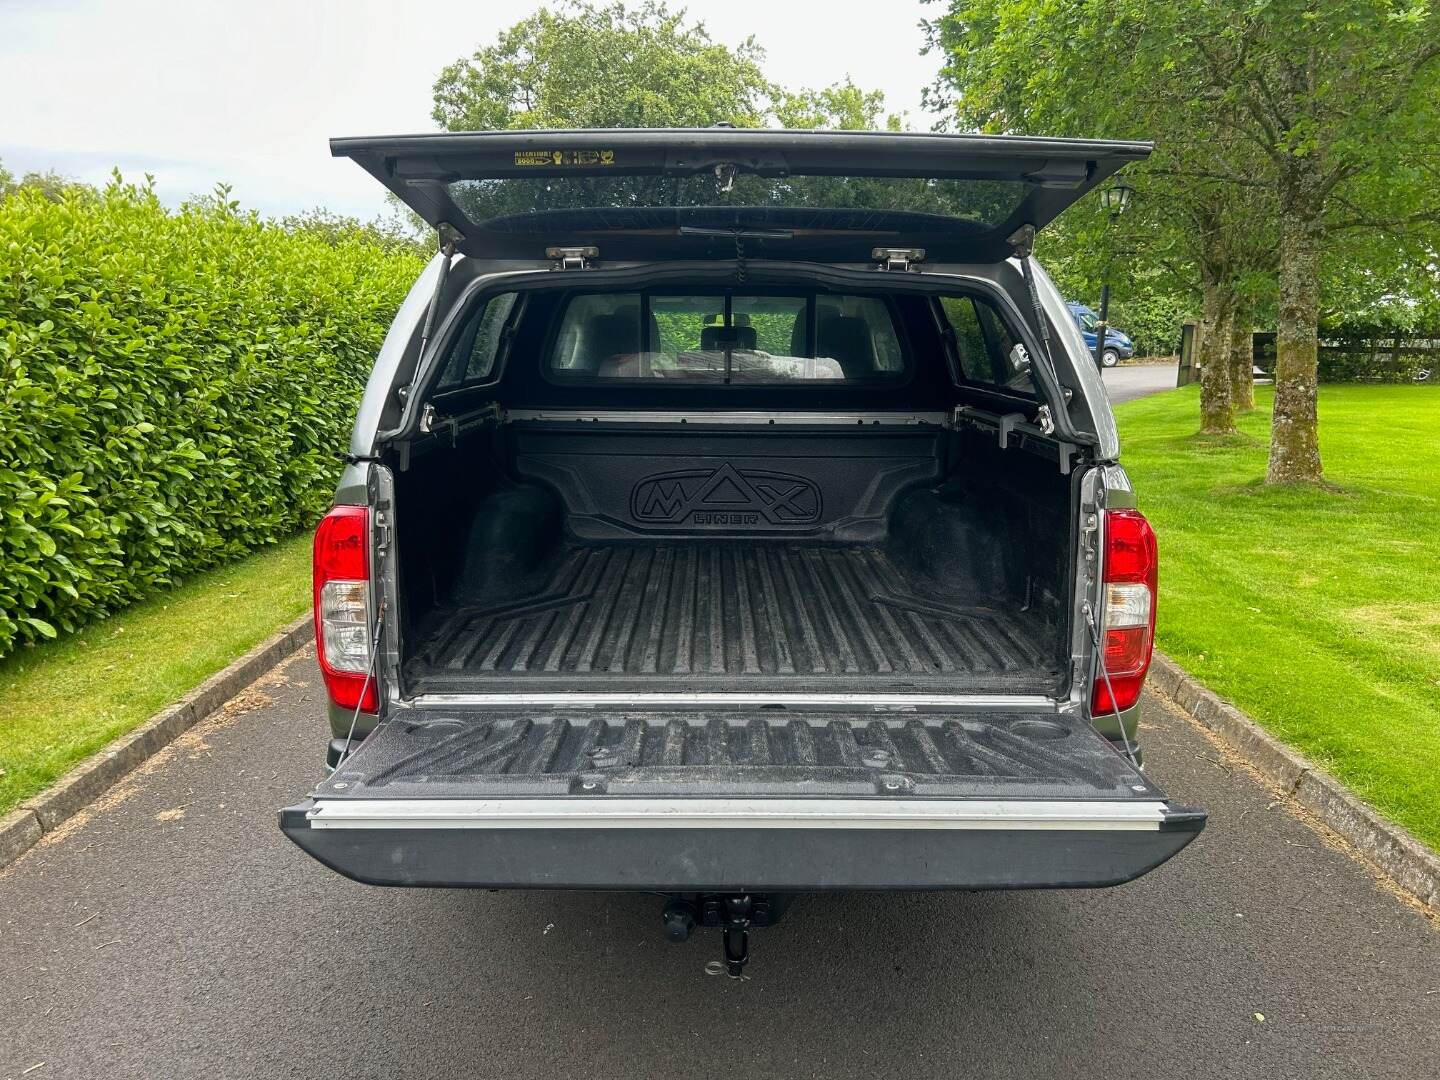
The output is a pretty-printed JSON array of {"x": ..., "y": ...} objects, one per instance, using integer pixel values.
[{"x": 1333, "y": 96}]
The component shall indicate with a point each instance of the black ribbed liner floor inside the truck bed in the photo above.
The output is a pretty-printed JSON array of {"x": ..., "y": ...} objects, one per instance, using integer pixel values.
[{"x": 711, "y": 613}]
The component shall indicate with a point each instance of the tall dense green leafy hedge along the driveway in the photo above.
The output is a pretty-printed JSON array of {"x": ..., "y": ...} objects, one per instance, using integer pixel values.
[{"x": 174, "y": 390}]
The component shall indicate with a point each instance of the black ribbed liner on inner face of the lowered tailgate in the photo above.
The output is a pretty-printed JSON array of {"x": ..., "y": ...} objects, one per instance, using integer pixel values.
[{"x": 738, "y": 752}]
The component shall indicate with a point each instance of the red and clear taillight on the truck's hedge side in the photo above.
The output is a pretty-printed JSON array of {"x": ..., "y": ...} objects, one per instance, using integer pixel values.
[{"x": 343, "y": 607}]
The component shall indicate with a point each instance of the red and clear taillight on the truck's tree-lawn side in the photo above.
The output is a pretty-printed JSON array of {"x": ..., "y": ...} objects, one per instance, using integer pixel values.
[{"x": 1128, "y": 610}]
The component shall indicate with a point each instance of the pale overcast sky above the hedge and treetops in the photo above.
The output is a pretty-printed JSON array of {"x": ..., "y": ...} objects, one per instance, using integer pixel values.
[{"x": 248, "y": 91}]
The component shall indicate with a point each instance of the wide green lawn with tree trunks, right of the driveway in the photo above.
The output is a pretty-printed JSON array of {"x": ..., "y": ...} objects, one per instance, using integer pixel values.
[{"x": 1318, "y": 613}]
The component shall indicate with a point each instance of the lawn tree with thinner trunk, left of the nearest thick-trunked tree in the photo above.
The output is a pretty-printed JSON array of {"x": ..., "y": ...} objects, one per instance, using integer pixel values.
[{"x": 1029, "y": 68}]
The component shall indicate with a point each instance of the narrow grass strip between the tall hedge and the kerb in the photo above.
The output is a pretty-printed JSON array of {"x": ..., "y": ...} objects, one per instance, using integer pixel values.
[{"x": 67, "y": 699}]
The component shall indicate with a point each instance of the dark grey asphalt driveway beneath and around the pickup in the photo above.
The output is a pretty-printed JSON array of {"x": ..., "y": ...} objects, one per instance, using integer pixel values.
[{"x": 176, "y": 934}]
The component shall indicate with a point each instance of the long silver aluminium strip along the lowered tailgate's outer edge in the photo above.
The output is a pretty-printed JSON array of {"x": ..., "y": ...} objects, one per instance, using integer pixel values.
[{"x": 604, "y": 813}]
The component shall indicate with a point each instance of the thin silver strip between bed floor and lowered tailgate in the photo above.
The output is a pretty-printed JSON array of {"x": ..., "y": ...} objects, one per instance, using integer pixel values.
[{"x": 745, "y": 701}]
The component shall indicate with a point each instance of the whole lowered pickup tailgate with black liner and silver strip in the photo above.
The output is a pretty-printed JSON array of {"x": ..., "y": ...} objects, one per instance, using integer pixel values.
[{"x": 747, "y": 800}]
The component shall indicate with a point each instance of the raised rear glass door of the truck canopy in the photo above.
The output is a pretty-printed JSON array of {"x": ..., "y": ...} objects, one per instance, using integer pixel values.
[{"x": 682, "y": 192}]
